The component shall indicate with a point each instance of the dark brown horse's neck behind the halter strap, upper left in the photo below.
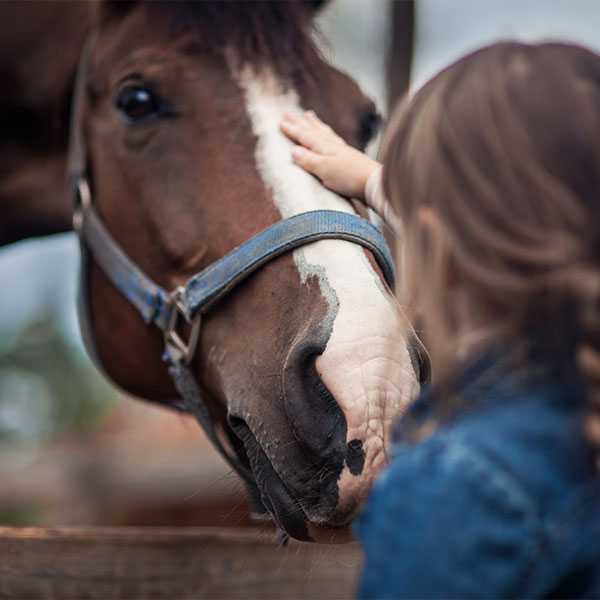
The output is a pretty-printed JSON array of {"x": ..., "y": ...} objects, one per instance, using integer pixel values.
[{"x": 40, "y": 43}]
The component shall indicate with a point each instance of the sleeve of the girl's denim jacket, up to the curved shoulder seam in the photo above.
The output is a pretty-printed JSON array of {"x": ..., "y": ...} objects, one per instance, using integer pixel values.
[{"x": 444, "y": 521}]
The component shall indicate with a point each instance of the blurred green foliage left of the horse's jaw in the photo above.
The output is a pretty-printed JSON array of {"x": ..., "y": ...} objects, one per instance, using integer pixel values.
[{"x": 48, "y": 388}]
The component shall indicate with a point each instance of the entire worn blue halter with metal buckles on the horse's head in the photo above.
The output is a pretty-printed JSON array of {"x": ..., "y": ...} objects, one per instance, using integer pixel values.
[{"x": 169, "y": 309}]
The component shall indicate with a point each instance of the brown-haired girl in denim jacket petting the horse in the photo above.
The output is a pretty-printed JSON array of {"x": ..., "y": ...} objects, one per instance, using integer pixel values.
[{"x": 493, "y": 171}]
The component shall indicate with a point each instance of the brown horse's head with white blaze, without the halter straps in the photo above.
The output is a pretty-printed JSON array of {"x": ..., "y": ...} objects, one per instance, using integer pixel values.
[{"x": 305, "y": 364}]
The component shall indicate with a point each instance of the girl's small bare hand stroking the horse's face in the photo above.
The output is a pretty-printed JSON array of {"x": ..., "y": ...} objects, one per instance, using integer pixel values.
[{"x": 326, "y": 155}]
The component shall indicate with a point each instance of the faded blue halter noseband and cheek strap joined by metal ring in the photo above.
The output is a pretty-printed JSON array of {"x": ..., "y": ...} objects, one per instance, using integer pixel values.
[{"x": 188, "y": 302}]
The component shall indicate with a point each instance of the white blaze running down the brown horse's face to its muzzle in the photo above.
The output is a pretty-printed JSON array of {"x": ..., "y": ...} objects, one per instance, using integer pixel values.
[{"x": 365, "y": 365}]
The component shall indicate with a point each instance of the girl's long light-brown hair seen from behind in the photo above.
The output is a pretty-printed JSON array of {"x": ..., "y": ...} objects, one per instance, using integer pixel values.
[{"x": 494, "y": 167}]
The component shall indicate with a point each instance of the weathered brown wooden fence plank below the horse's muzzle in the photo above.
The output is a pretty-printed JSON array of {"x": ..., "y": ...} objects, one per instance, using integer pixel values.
[{"x": 169, "y": 563}]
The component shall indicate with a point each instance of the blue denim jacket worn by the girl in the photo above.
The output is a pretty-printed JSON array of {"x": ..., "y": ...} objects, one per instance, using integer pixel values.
[{"x": 502, "y": 501}]
